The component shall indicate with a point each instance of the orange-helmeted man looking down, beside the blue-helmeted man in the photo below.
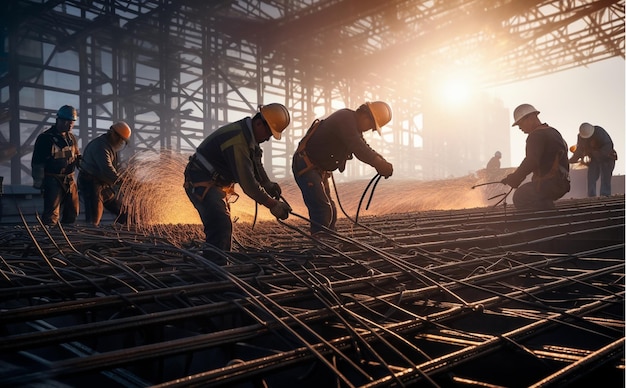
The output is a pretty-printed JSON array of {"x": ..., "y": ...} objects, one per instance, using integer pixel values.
[{"x": 99, "y": 171}]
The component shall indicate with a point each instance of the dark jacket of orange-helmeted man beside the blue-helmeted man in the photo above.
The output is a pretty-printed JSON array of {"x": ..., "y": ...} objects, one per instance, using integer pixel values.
[{"x": 100, "y": 160}]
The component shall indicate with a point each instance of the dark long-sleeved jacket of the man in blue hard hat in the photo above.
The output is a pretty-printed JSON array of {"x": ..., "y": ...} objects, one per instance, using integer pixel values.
[{"x": 54, "y": 153}]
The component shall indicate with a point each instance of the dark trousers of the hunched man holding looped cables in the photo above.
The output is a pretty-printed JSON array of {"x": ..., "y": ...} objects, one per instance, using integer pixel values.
[{"x": 315, "y": 187}]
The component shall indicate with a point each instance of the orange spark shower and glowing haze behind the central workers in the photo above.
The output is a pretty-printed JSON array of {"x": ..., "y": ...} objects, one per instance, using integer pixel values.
[{"x": 153, "y": 194}]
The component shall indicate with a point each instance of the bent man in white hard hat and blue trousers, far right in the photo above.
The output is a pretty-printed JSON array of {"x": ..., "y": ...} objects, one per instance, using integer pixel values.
[{"x": 594, "y": 147}]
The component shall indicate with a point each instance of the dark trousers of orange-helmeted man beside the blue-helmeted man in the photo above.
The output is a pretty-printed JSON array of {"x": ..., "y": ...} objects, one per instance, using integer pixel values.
[{"x": 98, "y": 196}]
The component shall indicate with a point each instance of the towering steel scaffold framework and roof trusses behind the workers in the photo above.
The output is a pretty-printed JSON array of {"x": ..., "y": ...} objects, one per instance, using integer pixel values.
[{"x": 176, "y": 70}]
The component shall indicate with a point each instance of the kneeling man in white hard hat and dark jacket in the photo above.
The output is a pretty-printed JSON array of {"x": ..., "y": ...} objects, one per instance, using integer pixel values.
[{"x": 546, "y": 159}]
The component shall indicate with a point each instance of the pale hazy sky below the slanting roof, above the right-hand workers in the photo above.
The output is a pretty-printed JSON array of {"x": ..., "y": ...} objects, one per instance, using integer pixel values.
[{"x": 594, "y": 94}]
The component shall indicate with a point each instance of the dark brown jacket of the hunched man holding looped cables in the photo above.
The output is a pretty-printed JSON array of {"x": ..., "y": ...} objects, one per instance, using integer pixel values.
[{"x": 336, "y": 139}]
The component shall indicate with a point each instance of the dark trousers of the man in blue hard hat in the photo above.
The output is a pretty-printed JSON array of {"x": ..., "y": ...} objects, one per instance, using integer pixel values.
[{"x": 60, "y": 200}]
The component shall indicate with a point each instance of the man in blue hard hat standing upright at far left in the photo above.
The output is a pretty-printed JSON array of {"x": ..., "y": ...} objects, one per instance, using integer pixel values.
[{"x": 55, "y": 157}]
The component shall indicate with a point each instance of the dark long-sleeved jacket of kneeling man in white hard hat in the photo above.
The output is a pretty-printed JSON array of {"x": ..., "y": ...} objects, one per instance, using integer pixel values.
[{"x": 546, "y": 155}]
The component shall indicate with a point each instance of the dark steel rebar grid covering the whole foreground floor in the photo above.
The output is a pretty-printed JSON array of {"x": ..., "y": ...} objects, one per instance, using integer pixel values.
[{"x": 435, "y": 298}]
